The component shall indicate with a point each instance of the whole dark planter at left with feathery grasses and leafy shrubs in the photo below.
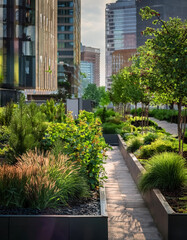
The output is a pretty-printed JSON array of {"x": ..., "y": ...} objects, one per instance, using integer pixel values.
[{"x": 54, "y": 162}]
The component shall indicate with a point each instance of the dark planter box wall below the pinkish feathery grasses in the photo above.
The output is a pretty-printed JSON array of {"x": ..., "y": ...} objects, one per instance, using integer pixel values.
[{"x": 63, "y": 227}]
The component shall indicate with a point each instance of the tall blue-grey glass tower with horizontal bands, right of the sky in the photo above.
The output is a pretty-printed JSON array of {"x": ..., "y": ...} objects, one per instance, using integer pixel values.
[{"x": 120, "y": 31}]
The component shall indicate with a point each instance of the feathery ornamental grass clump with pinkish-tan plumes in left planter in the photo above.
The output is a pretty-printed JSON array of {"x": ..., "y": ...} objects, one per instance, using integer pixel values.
[{"x": 39, "y": 181}]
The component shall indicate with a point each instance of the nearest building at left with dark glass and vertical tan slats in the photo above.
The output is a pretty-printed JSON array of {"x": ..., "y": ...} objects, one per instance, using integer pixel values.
[{"x": 28, "y": 39}]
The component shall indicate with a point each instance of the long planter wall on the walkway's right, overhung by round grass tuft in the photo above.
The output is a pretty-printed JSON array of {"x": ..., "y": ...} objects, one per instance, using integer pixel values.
[{"x": 171, "y": 225}]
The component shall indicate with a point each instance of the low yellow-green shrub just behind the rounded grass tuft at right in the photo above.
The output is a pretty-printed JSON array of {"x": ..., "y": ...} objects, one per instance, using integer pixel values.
[{"x": 158, "y": 146}]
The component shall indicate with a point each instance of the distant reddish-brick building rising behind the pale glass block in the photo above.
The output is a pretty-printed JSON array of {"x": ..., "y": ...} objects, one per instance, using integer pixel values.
[{"x": 92, "y": 55}]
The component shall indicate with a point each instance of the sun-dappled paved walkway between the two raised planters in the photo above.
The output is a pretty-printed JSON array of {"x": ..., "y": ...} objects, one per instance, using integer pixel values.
[{"x": 129, "y": 219}]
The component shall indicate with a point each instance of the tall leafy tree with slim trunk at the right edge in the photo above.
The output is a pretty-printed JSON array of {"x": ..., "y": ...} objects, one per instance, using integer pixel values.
[{"x": 163, "y": 61}]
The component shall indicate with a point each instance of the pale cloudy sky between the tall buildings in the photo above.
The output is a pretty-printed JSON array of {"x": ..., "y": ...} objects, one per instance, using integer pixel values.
[{"x": 93, "y": 28}]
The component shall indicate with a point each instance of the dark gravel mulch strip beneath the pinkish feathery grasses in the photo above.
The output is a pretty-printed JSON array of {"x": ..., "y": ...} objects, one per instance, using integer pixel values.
[{"x": 85, "y": 207}]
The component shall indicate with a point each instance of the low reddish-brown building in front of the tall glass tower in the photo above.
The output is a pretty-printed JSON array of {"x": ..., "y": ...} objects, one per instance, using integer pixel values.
[{"x": 120, "y": 59}]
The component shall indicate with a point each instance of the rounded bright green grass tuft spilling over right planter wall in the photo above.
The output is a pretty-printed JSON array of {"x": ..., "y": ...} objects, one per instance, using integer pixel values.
[{"x": 164, "y": 171}]
